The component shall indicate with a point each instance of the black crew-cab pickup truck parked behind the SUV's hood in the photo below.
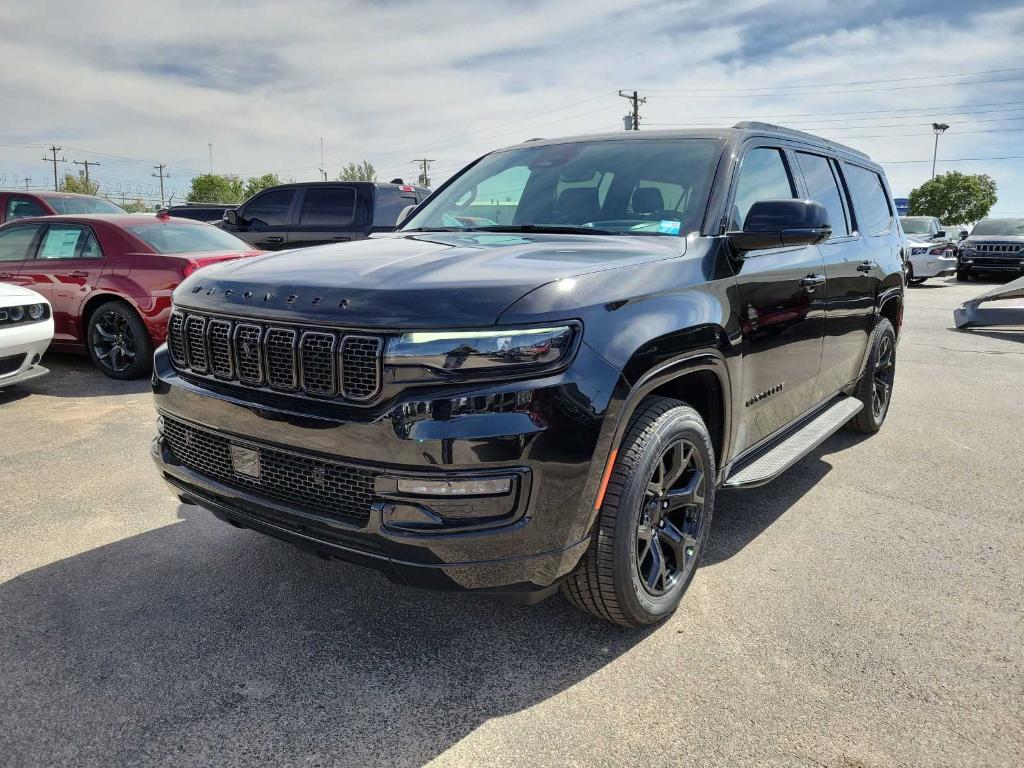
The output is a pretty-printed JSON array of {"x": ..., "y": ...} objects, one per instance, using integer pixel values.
[{"x": 319, "y": 212}]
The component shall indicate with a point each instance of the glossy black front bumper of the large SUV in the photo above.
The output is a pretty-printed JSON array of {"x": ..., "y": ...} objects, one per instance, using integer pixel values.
[{"x": 542, "y": 434}]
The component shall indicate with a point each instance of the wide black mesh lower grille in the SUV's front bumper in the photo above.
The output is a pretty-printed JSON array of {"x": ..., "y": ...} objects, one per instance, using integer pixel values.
[{"x": 296, "y": 481}]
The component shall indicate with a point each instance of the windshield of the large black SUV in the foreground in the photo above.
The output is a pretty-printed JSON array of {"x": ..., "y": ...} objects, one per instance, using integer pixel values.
[{"x": 622, "y": 187}]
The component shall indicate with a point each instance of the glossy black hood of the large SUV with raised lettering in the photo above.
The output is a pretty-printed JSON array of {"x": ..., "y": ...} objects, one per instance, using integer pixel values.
[{"x": 421, "y": 280}]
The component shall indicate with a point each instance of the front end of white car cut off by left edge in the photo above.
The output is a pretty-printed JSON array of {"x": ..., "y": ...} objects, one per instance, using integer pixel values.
[{"x": 26, "y": 331}]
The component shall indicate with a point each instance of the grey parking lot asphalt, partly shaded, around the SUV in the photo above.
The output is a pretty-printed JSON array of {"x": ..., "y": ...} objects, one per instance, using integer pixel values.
[{"x": 866, "y": 610}]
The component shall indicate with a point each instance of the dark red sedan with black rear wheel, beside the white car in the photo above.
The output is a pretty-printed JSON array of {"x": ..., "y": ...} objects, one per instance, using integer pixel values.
[{"x": 110, "y": 279}]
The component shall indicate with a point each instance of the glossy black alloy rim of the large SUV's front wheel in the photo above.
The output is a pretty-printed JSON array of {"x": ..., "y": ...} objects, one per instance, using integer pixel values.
[{"x": 669, "y": 525}]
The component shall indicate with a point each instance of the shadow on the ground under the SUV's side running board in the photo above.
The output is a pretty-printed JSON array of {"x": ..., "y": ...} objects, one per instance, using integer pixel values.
[{"x": 741, "y": 517}]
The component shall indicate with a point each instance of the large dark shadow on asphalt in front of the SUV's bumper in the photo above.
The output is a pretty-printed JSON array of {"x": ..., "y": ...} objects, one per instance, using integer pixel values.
[{"x": 200, "y": 645}]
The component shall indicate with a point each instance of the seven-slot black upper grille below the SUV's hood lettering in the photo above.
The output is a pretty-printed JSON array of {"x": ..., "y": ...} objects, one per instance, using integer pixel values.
[{"x": 319, "y": 363}]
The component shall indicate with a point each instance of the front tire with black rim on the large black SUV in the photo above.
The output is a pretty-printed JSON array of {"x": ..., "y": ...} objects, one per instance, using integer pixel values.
[{"x": 620, "y": 579}]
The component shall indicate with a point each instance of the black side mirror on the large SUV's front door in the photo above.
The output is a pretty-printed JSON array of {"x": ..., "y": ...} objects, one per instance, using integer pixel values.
[{"x": 779, "y": 224}]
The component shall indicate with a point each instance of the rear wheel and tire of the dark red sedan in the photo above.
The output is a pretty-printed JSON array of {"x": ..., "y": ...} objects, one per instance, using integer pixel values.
[{"x": 118, "y": 343}]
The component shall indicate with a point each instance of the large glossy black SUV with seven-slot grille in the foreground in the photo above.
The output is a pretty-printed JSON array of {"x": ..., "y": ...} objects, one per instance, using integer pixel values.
[{"x": 545, "y": 376}]
